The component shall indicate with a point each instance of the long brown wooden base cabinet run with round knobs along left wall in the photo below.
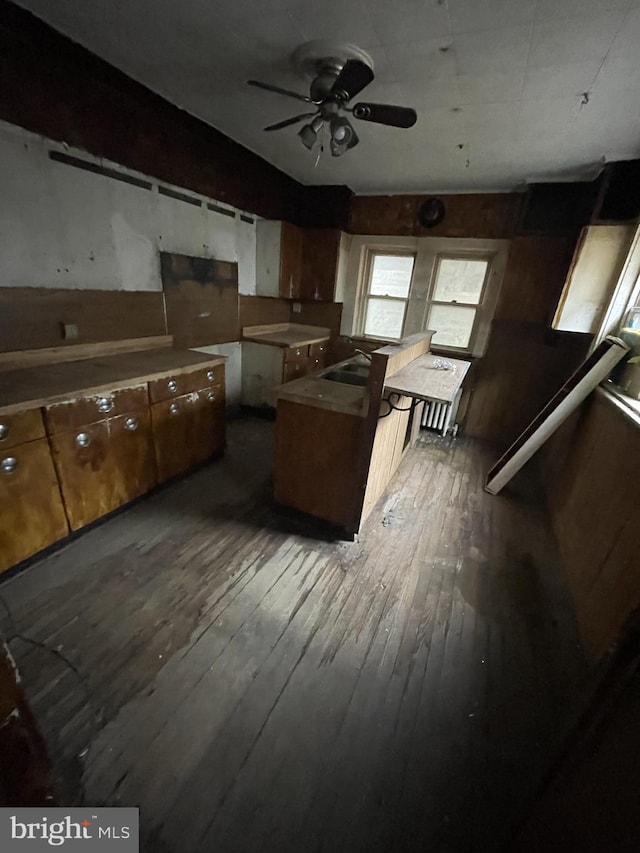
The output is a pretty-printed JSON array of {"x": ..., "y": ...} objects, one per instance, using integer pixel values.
[{"x": 71, "y": 462}]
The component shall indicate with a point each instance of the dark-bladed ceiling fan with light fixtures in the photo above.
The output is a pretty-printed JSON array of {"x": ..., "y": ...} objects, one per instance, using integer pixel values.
[{"x": 338, "y": 73}]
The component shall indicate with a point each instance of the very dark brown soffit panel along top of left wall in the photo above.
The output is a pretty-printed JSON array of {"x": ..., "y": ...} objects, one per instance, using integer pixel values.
[{"x": 55, "y": 87}]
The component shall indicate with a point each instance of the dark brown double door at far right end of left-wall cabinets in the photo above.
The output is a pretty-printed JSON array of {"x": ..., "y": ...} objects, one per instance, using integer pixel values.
[{"x": 188, "y": 430}]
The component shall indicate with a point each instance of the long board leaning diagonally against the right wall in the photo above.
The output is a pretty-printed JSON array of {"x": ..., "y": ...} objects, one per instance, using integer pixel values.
[{"x": 579, "y": 385}]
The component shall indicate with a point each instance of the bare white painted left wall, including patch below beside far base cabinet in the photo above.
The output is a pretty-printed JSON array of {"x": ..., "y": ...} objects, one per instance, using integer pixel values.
[{"x": 68, "y": 228}]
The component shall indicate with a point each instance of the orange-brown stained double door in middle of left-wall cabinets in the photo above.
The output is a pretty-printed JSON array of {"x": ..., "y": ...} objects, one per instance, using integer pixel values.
[{"x": 104, "y": 465}]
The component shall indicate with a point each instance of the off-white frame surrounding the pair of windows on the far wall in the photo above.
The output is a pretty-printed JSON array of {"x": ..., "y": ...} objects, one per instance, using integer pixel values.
[{"x": 427, "y": 251}]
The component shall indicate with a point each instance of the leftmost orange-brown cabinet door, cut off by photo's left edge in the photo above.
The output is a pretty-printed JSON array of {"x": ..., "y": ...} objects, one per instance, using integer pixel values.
[{"x": 31, "y": 511}]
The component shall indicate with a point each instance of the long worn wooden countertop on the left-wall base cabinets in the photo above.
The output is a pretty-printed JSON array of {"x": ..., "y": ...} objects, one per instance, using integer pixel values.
[{"x": 31, "y": 387}]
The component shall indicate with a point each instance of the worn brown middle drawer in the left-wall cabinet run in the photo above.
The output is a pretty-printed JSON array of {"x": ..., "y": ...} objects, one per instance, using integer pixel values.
[{"x": 74, "y": 414}]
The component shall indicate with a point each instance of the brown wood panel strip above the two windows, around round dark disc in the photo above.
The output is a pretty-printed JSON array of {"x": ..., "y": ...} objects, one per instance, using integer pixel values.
[{"x": 482, "y": 215}]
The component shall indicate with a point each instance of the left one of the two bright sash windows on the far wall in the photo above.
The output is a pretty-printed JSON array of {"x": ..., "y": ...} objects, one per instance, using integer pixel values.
[{"x": 387, "y": 294}]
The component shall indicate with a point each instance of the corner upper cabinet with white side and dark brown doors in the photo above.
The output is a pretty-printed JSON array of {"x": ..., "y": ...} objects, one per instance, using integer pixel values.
[{"x": 297, "y": 263}]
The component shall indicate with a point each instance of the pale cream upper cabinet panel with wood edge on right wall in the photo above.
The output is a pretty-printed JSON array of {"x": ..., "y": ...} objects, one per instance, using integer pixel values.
[{"x": 597, "y": 264}]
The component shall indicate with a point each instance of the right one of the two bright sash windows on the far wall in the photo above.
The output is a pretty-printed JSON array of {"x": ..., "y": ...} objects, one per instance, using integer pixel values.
[{"x": 458, "y": 289}]
